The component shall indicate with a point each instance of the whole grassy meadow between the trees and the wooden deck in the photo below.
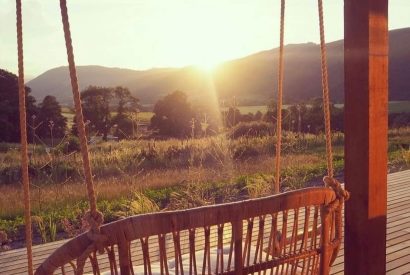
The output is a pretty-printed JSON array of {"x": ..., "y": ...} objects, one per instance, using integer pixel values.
[{"x": 141, "y": 176}]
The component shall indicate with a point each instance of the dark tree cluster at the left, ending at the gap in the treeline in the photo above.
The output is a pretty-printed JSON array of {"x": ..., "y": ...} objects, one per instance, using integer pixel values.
[{"x": 104, "y": 109}]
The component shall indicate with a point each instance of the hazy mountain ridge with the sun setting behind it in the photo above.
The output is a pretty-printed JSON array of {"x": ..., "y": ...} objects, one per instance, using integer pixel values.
[{"x": 251, "y": 79}]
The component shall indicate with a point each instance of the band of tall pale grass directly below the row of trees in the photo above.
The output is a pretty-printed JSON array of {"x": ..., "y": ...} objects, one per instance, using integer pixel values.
[{"x": 133, "y": 157}]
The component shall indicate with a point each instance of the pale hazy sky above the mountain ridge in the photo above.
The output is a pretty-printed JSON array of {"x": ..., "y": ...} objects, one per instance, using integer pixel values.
[{"x": 141, "y": 34}]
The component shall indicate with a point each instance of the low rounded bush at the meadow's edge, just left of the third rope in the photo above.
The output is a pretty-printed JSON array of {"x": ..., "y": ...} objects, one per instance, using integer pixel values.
[{"x": 252, "y": 129}]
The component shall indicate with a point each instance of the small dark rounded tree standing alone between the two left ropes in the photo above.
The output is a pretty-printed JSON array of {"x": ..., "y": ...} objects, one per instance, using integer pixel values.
[{"x": 53, "y": 123}]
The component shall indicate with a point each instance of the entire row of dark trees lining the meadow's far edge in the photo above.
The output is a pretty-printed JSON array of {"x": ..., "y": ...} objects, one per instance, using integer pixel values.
[{"x": 114, "y": 112}]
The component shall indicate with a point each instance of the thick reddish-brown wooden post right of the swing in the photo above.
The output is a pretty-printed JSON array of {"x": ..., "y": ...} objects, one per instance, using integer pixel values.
[{"x": 366, "y": 98}]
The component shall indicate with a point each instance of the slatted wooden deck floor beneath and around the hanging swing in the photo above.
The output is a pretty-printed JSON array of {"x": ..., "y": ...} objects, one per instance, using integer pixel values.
[{"x": 397, "y": 250}]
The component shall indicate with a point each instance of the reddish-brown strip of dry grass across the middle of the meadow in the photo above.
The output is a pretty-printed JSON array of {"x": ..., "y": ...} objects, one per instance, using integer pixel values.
[{"x": 51, "y": 195}]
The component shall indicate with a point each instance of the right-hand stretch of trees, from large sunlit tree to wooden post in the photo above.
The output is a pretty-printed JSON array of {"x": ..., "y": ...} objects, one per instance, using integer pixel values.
[{"x": 175, "y": 117}]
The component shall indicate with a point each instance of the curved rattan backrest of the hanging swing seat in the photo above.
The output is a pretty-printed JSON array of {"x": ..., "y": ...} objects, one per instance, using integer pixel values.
[{"x": 289, "y": 233}]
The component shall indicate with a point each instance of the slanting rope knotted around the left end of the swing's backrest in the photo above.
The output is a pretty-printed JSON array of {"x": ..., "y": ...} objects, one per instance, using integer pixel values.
[{"x": 93, "y": 217}]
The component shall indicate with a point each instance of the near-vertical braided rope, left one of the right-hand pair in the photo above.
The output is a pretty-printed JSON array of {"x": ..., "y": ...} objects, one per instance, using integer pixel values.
[{"x": 279, "y": 103}]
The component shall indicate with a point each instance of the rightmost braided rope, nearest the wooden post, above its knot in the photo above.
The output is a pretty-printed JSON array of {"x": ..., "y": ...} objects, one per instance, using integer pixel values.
[{"x": 325, "y": 88}]
